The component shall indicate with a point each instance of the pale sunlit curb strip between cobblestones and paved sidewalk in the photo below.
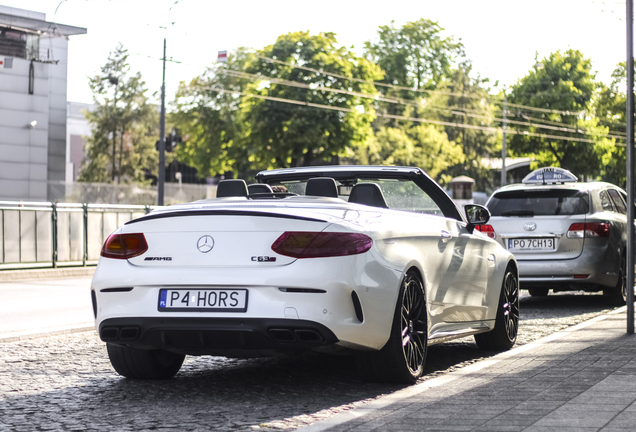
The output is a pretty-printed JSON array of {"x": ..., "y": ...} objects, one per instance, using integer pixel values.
[{"x": 387, "y": 400}]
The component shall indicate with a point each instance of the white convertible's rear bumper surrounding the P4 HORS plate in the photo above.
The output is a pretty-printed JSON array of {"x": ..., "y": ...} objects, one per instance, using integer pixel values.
[{"x": 291, "y": 295}]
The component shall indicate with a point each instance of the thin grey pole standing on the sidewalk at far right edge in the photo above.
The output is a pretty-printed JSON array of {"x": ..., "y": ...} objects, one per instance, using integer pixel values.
[{"x": 630, "y": 166}]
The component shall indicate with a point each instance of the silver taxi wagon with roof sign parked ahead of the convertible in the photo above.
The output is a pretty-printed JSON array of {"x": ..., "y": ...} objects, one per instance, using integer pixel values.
[{"x": 566, "y": 235}]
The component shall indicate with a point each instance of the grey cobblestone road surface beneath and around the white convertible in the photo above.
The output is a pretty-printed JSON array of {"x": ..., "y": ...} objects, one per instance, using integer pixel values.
[{"x": 66, "y": 382}]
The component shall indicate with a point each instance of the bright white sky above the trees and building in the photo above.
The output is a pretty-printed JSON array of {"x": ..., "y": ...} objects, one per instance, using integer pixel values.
[{"x": 500, "y": 36}]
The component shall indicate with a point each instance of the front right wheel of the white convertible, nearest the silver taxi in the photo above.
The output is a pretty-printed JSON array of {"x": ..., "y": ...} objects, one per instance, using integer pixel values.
[{"x": 504, "y": 335}]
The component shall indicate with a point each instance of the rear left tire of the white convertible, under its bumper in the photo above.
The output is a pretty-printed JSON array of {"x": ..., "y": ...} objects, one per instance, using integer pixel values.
[{"x": 144, "y": 364}]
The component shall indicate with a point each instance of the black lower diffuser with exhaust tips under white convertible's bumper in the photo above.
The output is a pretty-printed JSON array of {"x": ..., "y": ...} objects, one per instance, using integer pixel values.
[{"x": 222, "y": 336}]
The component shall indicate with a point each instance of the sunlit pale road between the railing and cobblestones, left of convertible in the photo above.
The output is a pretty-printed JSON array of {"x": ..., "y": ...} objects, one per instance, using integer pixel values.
[{"x": 35, "y": 305}]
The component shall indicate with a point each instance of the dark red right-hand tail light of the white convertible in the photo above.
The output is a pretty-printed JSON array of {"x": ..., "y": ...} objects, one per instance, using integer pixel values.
[{"x": 299, "y": 244}]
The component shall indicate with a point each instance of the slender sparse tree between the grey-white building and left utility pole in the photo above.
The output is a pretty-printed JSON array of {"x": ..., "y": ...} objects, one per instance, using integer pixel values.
[{"x": 121, "y": 147}]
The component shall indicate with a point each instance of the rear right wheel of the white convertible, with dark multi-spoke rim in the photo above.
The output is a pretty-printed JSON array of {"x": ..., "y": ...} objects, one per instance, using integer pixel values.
[{"x": 402, "y": 358}]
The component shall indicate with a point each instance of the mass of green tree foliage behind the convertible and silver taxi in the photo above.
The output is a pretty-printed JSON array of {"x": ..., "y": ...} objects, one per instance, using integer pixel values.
[{"x": 278, "y": 107}]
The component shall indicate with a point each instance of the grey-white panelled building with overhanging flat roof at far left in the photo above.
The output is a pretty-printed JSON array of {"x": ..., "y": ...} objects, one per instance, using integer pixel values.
[{"x": 33, "y": 104}]
